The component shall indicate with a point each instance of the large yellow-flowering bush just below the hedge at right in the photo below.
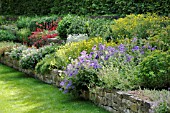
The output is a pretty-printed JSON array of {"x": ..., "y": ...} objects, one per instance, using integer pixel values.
[{"x": 139, "y": 26}]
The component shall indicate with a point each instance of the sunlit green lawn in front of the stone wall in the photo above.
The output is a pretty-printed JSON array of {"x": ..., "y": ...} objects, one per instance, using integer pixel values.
[{"x": 22, "y": 94}]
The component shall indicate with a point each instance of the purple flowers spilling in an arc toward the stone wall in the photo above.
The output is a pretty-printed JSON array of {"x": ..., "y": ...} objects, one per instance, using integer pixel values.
[{"x": 97, "y": 57}]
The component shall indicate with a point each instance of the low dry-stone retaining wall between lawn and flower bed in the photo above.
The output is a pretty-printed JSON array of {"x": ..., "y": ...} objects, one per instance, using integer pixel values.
[{"x": 111, "y": 100}]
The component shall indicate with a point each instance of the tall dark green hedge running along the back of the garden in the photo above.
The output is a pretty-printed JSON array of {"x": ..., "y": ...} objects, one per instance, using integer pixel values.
[{"x": 83, "y": 7}]
